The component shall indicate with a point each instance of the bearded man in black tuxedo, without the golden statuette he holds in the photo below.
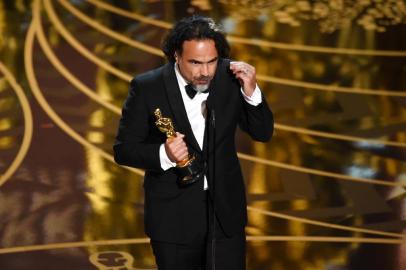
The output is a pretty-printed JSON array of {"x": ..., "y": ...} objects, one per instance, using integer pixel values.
[{"x": 202, "y": 224}]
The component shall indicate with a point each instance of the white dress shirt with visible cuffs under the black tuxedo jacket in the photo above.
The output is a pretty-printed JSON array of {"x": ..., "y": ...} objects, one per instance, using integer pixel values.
[{"x": 195, "y": 113}]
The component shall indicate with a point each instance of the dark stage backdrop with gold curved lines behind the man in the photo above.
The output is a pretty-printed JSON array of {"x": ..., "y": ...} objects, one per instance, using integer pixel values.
[{"x": 327, "y": 193}]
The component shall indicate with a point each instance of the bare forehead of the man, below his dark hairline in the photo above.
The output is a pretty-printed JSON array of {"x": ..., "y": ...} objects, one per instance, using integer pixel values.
[{"x": 204, "y": 49}]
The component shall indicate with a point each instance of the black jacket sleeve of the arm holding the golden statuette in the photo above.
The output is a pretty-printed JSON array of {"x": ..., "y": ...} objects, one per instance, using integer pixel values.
[{"x": 132, "y": 147}]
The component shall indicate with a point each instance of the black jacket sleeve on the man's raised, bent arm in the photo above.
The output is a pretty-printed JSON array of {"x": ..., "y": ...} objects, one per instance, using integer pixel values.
[{"x": 257, "y": 121}]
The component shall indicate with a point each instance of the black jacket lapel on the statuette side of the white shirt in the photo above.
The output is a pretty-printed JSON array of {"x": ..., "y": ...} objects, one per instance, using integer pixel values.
[{"x": 181, "y": 120}]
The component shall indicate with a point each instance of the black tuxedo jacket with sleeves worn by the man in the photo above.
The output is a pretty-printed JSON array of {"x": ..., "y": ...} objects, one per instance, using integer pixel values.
[{"x": 170, "y": 211}]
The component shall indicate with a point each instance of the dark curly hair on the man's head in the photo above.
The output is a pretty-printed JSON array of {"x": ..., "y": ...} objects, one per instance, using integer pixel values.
[{"x": 195, "y": 27}]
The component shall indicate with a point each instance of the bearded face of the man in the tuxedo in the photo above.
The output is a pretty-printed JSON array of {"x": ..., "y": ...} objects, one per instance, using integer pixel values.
[{"x": 198, "y": 62}]
